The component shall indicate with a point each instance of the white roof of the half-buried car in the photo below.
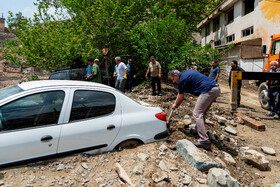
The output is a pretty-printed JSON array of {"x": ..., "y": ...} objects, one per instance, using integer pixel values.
[{"x": 53, "y": 83}]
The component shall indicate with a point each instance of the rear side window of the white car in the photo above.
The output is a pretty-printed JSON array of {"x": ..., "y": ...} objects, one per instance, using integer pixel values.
[{"x": 88, "y": 104}]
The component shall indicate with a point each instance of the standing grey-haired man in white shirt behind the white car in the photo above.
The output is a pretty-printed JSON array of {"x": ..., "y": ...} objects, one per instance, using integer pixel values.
[{"x": 122, "y": 74}]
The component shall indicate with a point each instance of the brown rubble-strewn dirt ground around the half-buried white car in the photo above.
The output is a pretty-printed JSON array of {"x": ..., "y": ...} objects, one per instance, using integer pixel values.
[{"x": 99, "y": 170}]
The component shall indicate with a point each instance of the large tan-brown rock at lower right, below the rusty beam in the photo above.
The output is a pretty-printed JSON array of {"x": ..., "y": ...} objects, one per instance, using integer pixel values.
[{"x": 255, "y": 158}]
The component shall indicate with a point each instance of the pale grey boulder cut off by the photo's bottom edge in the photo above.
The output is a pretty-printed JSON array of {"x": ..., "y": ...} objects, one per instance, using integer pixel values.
[{"x": 219, "y": 178}]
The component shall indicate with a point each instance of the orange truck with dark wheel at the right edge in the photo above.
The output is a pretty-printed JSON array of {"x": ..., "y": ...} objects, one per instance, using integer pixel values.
[{"x": 273, "y": 55}]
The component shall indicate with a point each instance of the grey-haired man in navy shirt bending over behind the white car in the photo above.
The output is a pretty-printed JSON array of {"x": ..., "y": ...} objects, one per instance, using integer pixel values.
[{"x": 191, "y": 81}]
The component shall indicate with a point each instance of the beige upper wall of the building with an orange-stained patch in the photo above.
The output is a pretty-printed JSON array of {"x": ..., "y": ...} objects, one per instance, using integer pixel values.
[{"x": 265, "y": 20}]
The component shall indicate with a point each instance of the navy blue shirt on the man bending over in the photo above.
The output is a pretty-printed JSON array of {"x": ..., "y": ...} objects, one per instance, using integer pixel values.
[{"x": 191, "y": 81}]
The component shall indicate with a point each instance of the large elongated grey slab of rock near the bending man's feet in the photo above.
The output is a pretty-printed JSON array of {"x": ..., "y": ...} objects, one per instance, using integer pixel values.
[{"x": 194, "y": 156}]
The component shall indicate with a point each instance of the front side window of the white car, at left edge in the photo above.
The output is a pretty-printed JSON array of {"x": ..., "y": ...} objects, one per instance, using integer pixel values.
[{"x": 31, "y": 111}]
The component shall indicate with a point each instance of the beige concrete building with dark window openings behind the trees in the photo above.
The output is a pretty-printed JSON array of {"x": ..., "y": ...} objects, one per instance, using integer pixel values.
[{"x": 248, "y": 24}]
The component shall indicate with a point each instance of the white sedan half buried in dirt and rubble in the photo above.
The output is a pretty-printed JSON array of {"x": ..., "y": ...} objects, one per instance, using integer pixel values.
[{"x": 39, "y": 119}]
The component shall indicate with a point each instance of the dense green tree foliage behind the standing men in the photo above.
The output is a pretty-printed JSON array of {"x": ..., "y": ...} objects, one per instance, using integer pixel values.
[{"x": 78, "y": 29}]
